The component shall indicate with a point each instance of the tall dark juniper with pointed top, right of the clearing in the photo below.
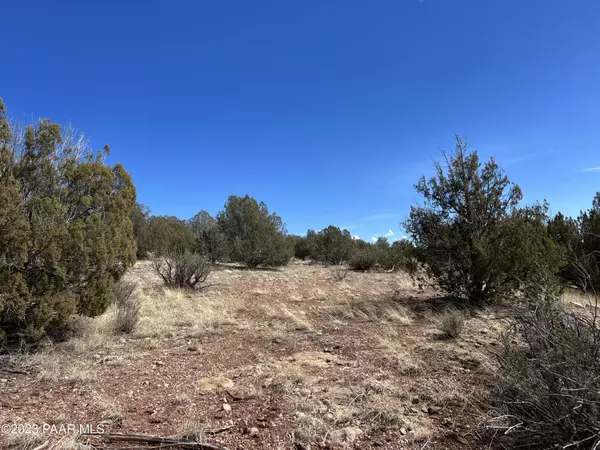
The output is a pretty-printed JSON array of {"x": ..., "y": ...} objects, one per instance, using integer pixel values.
[{"x": 471, "y": 236}]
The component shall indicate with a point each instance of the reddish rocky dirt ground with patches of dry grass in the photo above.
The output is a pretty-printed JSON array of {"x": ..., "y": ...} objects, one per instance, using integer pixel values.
[{"x": 266, "y": 359}]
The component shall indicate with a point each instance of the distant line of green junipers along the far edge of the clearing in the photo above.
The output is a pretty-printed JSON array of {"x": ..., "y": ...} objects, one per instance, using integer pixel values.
[{"x": 245, "y": 232}]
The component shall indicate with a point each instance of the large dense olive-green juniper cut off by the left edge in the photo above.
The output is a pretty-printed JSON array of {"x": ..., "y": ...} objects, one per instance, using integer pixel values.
[{"x": 67, "y": 234}]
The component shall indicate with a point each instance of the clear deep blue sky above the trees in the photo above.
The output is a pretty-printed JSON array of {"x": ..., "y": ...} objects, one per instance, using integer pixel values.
[{"x": 329, "y": 111}]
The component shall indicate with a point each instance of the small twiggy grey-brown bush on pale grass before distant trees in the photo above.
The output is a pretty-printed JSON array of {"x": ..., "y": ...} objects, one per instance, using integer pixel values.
[{"x": 183, "y": 270}]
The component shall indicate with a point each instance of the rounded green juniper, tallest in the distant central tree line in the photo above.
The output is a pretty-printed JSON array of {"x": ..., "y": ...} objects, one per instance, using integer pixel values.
[{"x": 254, "y": 236}]
